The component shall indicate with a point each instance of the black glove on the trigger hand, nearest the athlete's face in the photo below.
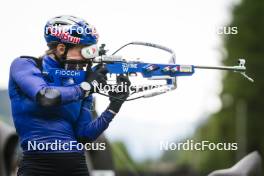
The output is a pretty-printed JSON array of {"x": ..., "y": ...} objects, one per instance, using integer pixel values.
[{"x": 96, "y": 79}]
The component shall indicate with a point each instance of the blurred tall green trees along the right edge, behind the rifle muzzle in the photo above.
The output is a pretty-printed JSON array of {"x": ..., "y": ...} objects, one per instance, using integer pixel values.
[{"x": 241, "y": 116}]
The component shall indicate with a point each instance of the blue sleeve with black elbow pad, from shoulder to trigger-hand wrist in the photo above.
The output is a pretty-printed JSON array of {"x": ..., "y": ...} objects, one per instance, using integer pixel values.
[{"x": 30, "y": 80}]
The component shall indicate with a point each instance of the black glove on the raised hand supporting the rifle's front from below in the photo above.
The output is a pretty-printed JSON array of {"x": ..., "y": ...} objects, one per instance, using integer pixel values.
[{"x": 118, "y": 98}]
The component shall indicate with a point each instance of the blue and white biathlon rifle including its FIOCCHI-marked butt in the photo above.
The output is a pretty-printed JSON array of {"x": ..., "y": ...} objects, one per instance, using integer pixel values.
[{"x": 154, "y": 71}]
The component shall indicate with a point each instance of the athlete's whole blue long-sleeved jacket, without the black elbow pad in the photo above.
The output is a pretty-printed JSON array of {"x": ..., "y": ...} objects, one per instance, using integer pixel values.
[{"x": 63, "y": 124}]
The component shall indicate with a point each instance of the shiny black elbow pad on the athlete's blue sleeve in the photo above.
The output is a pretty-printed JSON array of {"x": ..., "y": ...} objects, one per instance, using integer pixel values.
[{"x": 48, "y": 97}]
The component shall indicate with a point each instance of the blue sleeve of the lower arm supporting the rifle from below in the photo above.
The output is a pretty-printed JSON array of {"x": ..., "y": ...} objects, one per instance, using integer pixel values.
[{"x": 87, "y": 129}]
